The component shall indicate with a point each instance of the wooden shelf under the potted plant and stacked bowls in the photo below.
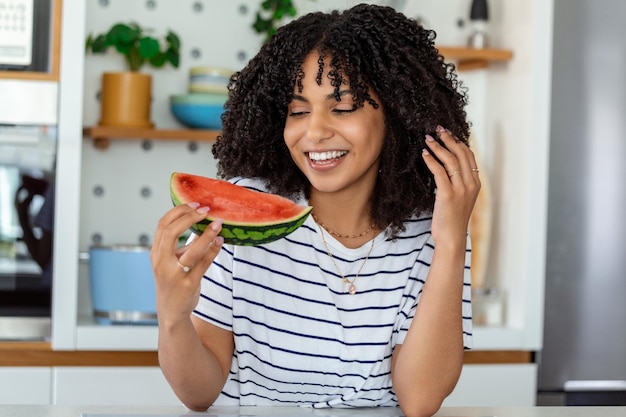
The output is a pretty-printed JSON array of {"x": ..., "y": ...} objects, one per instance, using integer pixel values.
[{"x": 102, "y": 134}]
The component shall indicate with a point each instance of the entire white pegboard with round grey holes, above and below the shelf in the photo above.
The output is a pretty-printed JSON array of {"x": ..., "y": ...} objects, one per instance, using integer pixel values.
[{"x": 124, "y": 189}]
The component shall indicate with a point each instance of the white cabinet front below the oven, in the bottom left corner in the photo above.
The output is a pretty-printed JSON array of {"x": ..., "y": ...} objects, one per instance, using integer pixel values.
[{"x": 25, "y": 385}]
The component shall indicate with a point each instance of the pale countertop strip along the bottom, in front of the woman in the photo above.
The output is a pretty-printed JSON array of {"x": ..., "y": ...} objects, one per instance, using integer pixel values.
[{"x": 133, "y": 411}]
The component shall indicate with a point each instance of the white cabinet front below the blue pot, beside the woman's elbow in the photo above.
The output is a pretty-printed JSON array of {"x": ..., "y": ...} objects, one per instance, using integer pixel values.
[{"x": 111, "y": 386}]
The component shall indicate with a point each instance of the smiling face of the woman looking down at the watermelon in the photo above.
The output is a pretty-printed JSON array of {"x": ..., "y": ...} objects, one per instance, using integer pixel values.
[{"x": 336, "y": 144}]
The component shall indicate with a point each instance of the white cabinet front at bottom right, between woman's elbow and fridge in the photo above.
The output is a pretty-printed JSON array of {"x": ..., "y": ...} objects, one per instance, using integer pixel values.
[{"x": 495, "y": 385}]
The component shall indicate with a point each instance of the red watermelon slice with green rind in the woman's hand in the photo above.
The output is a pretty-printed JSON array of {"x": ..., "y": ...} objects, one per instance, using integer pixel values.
[{"x": 249, "y": 217}]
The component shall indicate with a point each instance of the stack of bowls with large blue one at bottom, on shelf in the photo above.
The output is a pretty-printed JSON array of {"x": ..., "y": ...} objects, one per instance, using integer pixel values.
[{"x": 203, "y": 105}]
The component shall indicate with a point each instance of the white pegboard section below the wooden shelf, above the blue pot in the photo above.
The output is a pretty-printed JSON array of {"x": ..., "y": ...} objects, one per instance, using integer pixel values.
[{"x": 125, "y": 189}]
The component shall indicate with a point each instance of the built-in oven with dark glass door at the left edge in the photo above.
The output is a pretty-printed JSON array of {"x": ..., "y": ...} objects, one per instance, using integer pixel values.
[{"x": 27, "y": 155}]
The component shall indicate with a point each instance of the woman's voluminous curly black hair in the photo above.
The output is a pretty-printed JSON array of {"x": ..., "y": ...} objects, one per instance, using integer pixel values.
[{"x": 369, "y": 47}]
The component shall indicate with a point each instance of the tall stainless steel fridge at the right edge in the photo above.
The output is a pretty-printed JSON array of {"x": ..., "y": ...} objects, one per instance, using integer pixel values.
[{"x": 583, "y": 360}]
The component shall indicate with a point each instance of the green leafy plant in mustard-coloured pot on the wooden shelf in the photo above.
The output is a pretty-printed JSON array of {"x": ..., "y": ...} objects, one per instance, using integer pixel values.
[{"x": 125, "y": 96}]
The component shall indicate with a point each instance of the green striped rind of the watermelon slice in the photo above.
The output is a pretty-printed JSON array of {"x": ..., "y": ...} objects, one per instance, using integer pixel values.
[{"x": 250, "y": 234}]
